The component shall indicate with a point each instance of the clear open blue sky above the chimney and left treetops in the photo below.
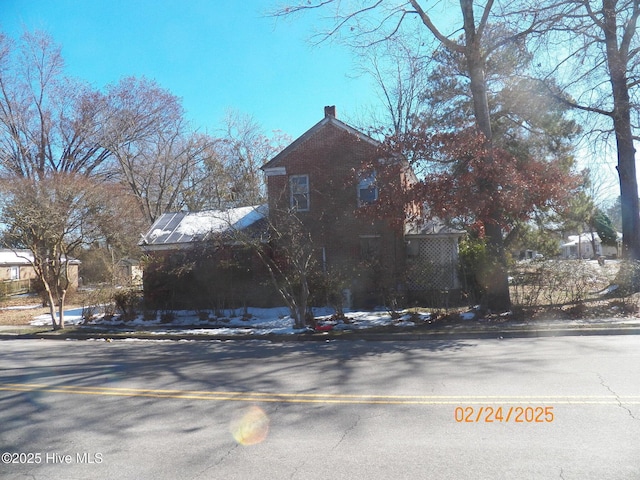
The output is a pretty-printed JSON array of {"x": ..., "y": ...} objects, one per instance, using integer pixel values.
[{"x": 214, "y": 54}]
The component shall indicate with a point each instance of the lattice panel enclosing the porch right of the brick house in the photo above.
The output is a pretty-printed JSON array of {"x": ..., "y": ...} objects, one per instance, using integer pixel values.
[{"x": 434, "y": 266}]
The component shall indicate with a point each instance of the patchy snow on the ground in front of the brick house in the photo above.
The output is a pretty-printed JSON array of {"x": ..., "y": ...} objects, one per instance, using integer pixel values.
[{"x": 255, "y": 321}]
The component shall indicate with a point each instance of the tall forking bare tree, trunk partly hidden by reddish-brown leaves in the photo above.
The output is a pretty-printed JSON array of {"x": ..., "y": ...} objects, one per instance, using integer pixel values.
[{"x": 364, "y": 23}]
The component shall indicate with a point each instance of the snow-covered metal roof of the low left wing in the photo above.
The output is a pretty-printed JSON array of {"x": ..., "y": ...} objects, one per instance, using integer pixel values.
[{"x": 186, "y": 227}]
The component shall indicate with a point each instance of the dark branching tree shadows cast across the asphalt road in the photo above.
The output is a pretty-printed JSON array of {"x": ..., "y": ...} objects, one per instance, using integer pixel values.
[{"x": 308, "y": 368}]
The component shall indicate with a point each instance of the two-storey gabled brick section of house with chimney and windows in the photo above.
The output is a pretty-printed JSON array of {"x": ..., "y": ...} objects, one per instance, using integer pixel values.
[{"x": 326, "y": 176}]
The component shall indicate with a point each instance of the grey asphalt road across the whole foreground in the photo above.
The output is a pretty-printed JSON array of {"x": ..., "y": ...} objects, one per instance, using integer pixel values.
[{"x": 552, "y": 408}]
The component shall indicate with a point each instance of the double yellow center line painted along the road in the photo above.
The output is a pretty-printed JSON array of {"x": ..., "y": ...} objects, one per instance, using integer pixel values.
[{"x": 328, "y": 398}]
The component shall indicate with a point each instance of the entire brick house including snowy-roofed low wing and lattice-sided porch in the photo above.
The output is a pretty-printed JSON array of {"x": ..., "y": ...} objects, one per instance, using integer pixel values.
[{"x": 330, "y": 177}]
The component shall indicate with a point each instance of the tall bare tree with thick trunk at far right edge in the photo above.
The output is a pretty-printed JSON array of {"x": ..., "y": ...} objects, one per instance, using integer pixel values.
[{"x": 598, "y": 74}]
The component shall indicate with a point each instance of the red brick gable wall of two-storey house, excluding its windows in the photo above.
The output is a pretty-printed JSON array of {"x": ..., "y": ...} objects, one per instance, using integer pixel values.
[{"x": 331, "y": 158}]
